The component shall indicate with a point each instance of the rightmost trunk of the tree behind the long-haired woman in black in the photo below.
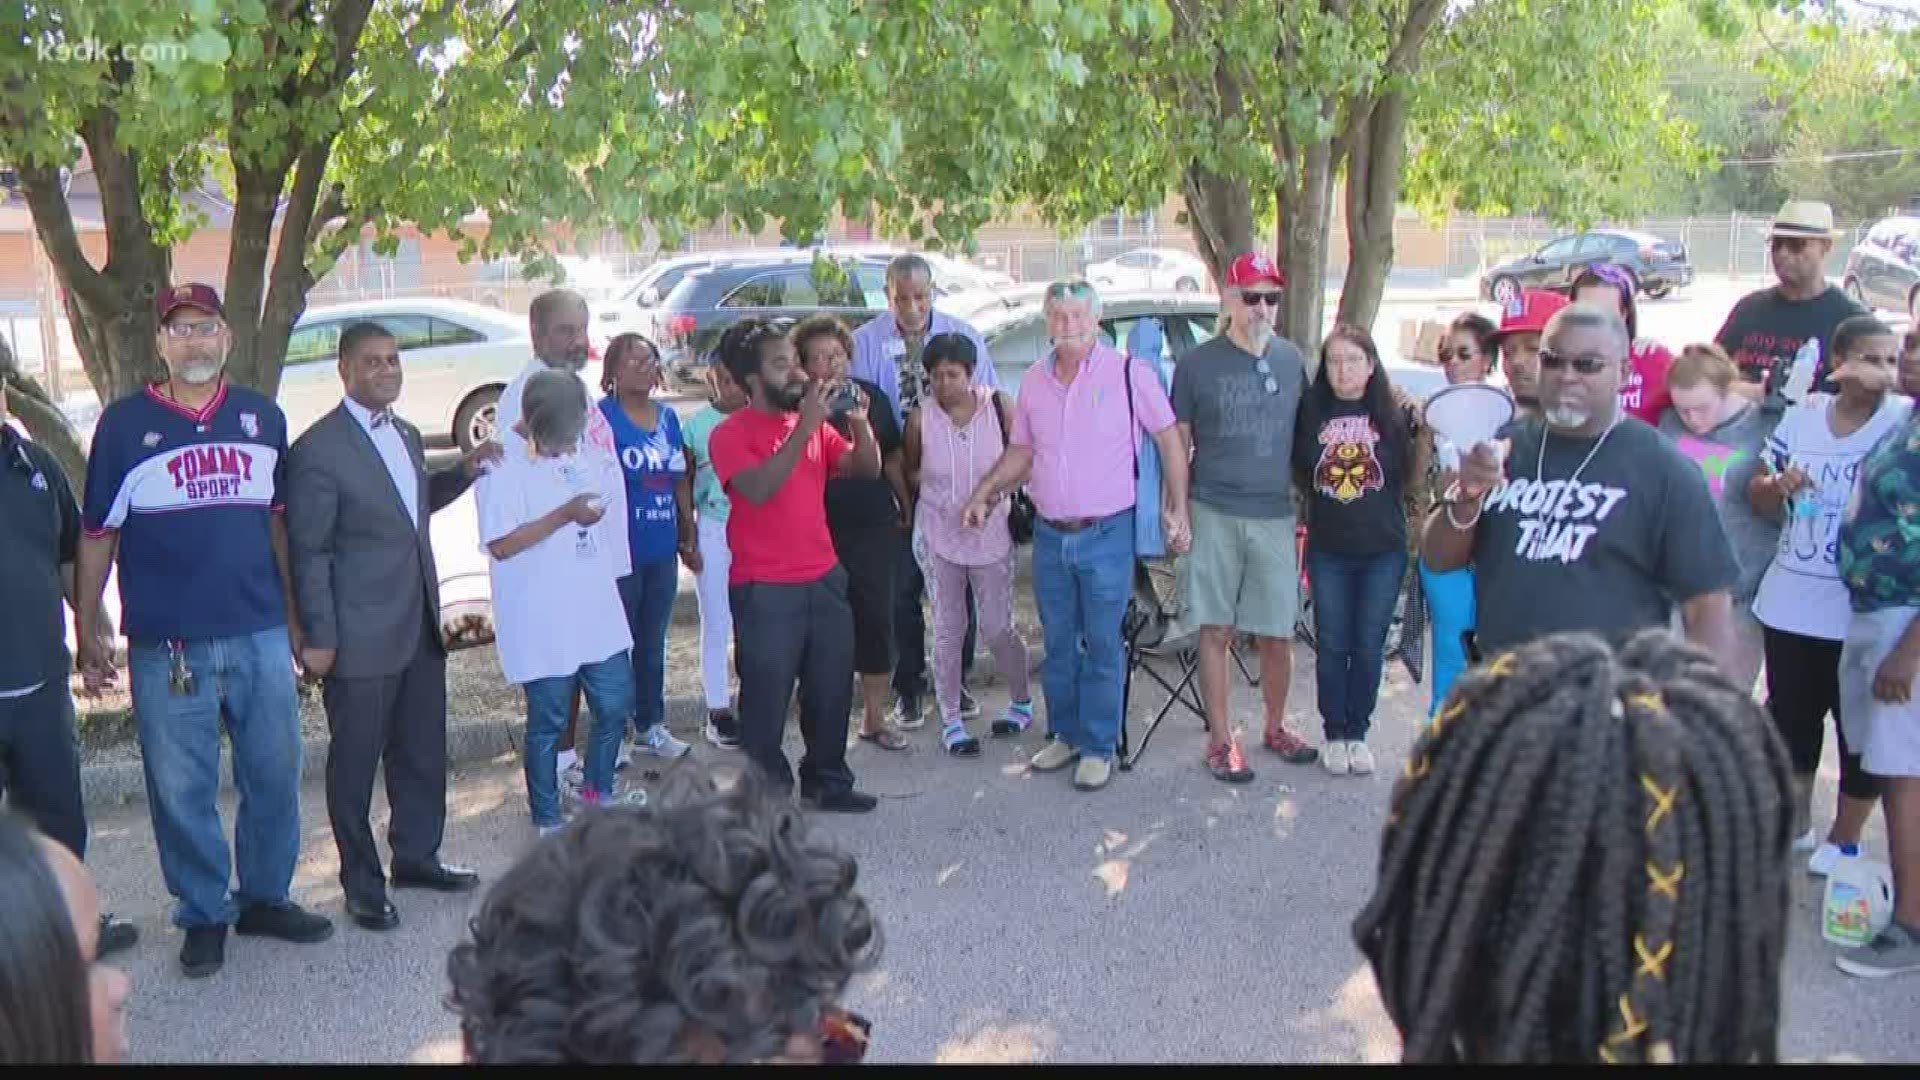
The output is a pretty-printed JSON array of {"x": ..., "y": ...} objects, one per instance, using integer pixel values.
[{"x": 1374, "y": 164}]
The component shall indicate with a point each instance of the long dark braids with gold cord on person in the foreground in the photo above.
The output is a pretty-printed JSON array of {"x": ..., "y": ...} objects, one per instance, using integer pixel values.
[{"x": 1587, "y": 860}]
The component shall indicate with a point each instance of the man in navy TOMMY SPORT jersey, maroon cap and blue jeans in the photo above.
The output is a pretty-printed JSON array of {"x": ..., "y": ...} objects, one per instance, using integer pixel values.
[{"x": 183, "y": 487}]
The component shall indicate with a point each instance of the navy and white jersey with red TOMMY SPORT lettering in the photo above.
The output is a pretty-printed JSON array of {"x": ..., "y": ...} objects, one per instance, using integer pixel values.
[{"x": 193, "y": 497}]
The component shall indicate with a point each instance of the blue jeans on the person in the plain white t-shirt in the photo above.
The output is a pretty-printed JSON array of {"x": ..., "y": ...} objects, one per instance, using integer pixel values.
[{"x": 610, "y": 691}]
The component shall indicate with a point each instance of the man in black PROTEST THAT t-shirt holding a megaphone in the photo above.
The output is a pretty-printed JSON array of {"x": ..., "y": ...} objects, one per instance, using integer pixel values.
[{"x": 1585, "y": 520}]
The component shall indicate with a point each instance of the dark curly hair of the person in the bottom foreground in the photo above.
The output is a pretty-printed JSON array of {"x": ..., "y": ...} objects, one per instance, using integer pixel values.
[{"x": 646, "y": 935}]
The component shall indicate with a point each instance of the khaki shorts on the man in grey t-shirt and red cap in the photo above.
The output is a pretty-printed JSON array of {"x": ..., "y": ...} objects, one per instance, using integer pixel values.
[{"x": 1241, "y": 574}]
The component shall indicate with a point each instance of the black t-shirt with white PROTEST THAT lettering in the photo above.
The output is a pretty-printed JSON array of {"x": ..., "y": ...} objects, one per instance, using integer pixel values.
[{"x": 1614, "y": 554}]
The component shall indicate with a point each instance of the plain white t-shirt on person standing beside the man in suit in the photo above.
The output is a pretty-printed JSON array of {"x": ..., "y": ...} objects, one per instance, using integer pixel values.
[{"x": 556, "y": 604}]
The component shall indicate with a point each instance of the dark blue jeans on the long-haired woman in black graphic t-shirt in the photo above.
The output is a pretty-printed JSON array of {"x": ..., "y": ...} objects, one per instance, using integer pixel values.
[{"x": 1353, "y": 610}]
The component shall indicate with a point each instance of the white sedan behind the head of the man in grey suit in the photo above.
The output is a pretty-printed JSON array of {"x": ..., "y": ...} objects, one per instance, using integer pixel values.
[{"x": 456, "y": 358}]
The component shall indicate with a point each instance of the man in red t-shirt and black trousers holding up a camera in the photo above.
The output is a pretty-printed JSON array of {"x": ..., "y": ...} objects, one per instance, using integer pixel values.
[{"x": 786, "y": 587}]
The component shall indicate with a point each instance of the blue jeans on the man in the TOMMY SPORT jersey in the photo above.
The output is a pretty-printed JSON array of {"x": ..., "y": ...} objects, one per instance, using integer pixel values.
[{"x": 245, "y": 683}]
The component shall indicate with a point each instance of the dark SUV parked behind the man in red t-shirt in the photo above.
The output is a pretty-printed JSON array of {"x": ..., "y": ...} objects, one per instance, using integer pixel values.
[{"x": 713, "y": 299}]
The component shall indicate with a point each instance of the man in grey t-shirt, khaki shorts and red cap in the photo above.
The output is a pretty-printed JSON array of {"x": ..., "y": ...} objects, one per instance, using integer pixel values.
[{"x": 1236, "y": 401}]
